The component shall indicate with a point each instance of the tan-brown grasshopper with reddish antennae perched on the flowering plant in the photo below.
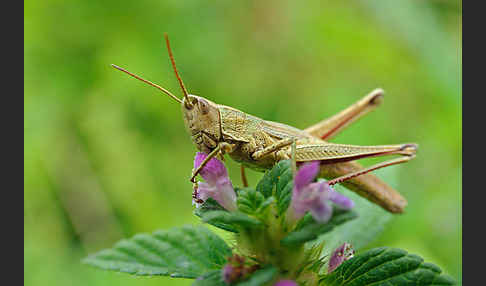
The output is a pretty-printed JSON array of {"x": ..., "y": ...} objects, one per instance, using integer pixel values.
[{"x": 258, "y": 144}]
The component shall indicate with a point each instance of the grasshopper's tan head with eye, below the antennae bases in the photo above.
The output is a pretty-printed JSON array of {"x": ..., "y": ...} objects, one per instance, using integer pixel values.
[{"x": 201, "y": 118}]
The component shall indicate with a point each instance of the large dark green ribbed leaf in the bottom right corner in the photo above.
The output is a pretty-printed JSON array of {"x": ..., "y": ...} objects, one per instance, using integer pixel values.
[{"x": 386, "y": 266}]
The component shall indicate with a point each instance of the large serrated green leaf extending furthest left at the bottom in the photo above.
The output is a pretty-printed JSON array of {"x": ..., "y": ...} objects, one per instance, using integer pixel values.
[{"x": 186, "y": 252}]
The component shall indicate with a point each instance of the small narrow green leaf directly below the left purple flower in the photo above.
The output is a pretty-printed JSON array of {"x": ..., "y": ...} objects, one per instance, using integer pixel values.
[{"x": 236, "y": 220}]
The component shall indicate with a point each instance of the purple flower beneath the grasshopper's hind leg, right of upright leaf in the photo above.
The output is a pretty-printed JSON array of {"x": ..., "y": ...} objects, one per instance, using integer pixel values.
[{"x": 314, "y": 197}]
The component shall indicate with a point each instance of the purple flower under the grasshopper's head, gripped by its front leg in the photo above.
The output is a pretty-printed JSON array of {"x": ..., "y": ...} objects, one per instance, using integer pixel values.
[{"x": 217, "y": 186}]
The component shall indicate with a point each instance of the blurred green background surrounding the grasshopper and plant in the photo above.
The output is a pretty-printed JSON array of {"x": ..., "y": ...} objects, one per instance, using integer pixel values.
[{"x": 107, "y": 156}]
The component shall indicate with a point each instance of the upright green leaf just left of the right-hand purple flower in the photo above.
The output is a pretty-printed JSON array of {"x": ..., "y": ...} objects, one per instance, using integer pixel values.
[{"x": 279, "y": 183}]
